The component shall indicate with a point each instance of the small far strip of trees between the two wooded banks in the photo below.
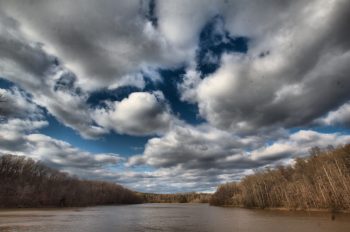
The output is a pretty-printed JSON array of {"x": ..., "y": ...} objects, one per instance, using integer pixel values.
[{"x": 191, "y": 197}]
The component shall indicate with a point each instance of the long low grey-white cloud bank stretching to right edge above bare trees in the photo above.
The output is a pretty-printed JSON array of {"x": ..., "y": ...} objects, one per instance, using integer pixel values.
[{"x": 204, "y": 147}]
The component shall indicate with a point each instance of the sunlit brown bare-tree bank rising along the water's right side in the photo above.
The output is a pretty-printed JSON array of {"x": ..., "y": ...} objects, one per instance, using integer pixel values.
[{"x": 322, "y": 180}]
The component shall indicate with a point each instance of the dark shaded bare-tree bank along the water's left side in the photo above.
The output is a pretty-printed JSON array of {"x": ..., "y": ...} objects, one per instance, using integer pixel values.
[{"x": 27, "y": 183}]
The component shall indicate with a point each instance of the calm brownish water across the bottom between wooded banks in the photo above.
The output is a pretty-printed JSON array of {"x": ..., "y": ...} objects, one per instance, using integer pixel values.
[{"x": 169, "y": 217}]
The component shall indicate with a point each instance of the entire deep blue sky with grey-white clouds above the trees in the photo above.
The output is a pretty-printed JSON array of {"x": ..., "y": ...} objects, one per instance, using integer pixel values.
[{"x": 173, "y": 95}]
